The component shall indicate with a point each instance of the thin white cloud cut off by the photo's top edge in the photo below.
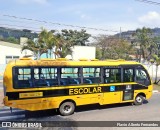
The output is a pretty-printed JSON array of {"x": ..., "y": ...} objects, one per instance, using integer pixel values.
[{"x": 32, "y": 1}]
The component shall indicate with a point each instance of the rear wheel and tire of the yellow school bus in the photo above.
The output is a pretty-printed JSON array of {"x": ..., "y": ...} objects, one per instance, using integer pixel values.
[{"x": 66, "y": 108}]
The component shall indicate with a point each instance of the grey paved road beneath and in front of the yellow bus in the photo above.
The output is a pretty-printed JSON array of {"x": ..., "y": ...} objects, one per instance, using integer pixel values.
[{"x": 150, "y": 111}]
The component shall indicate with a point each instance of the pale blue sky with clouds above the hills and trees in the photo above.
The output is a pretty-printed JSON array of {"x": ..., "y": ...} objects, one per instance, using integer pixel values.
[{"x": 109, "y": 15}]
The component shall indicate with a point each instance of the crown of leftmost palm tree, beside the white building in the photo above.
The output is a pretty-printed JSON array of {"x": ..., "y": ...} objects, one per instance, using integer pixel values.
[{"x": 37, "y": 48}]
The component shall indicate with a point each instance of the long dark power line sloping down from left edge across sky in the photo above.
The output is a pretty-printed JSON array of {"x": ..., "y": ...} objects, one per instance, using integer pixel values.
[{"x": 59, "y": 24}]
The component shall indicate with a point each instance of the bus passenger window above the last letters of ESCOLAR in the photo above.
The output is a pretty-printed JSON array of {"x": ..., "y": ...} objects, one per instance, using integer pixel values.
[{"x": 91, "y": 75}]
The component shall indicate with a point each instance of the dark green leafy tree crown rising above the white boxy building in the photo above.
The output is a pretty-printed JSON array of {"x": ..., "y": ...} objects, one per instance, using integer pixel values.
[{"x": 76, "y": 37}]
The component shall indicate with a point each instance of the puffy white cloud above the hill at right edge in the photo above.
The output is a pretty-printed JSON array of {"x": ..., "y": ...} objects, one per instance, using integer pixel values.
[{"x": 151, "y": 19}]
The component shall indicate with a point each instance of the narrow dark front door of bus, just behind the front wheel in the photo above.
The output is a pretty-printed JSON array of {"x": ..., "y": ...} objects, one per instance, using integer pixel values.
[{"x": 128, "y": 83}]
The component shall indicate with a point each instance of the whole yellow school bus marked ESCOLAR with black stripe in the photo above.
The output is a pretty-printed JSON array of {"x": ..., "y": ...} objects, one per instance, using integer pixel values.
[{"x": 63, "y": 84}]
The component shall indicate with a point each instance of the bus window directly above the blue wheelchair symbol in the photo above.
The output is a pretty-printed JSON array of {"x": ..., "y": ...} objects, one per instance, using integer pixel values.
[{"x": 112, "y": 75}]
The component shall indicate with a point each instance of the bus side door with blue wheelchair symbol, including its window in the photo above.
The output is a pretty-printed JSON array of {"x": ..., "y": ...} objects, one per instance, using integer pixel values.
[{"x": 112, "y": 82}]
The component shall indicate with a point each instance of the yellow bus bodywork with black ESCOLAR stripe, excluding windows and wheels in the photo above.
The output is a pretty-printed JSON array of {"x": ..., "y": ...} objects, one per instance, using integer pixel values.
[{"x": 33, "y": 98}]
